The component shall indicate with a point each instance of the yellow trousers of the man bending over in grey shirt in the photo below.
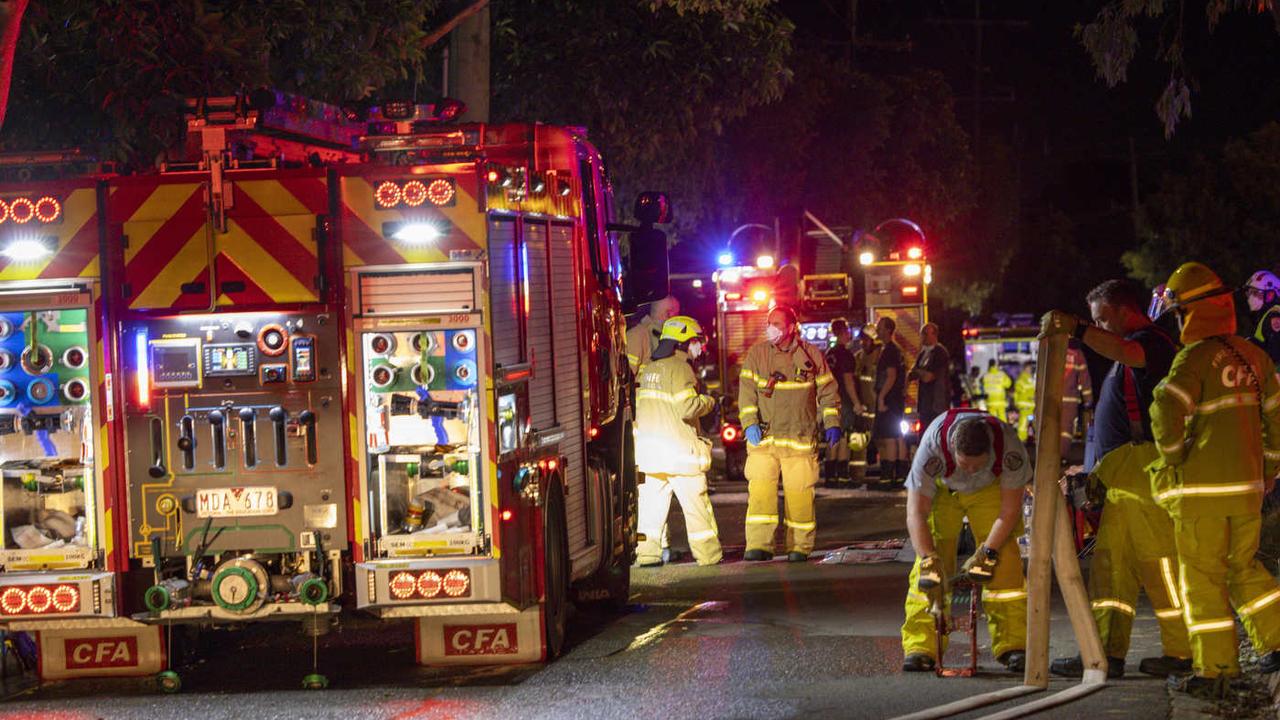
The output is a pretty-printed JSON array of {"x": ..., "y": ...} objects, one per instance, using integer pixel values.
[{"x": 1004, "y": 599}]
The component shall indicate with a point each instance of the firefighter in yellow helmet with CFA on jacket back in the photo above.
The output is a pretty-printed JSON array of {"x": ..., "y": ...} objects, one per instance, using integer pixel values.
[{"x": 1217, "y": 421}]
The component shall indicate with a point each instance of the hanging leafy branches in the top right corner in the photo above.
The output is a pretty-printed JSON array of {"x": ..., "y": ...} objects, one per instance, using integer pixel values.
[{"x": 1113, "y": 40}]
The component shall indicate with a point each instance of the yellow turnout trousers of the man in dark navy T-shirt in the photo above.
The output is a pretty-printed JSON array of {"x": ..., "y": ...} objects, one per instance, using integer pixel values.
[{"x": 1119, "y": 569}]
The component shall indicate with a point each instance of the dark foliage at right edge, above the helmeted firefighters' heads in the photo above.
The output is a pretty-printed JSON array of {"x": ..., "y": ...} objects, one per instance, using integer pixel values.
[{"x": 1224, "y": 211}]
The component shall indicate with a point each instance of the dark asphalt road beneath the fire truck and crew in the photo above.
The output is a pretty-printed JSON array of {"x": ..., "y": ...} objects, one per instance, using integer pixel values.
[{"x": 739, "y": 640}]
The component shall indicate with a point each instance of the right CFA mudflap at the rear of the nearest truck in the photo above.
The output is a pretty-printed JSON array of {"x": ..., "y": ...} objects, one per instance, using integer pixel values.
[{"x": 481, "y": 640}]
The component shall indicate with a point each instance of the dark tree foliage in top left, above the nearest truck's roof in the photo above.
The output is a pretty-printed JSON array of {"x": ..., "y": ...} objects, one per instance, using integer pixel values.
[{"x": 109, "y": 75}]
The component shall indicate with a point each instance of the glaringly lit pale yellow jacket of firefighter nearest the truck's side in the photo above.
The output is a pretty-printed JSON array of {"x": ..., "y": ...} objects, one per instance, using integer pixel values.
[{"x": 668, "y": 408}]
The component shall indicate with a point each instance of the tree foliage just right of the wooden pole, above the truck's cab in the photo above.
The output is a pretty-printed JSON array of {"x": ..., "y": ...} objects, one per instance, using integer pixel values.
[{"x": 655, "y": 88}]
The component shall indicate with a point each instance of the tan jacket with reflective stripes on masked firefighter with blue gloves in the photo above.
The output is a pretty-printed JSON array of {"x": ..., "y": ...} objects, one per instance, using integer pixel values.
[{"x": 804, "y": 398}]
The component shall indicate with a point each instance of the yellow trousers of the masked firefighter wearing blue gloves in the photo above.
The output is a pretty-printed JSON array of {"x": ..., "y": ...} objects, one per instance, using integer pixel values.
[{"x": 799, "y": 472}]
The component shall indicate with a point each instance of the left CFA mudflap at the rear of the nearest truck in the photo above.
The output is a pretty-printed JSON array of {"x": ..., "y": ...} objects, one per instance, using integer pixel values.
[{"x": 104, "y": 651}]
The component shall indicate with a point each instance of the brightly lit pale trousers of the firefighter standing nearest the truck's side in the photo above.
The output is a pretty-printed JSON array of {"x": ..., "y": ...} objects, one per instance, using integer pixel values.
[{"x": 694, "y": 503}]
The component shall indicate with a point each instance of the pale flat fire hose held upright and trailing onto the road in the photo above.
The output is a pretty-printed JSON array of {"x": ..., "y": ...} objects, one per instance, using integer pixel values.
[{"x": 1052, "y": 543}]
